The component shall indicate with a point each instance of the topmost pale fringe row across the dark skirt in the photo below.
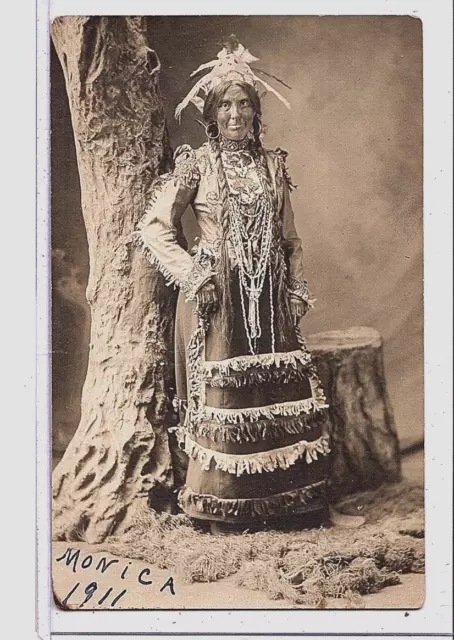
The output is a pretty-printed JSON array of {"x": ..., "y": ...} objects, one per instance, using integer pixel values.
[{"x": 230, "y": 366}]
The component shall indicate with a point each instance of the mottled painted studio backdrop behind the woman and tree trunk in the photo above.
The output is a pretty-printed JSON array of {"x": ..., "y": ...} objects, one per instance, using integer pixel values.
[{"x": 354, "y": 137}]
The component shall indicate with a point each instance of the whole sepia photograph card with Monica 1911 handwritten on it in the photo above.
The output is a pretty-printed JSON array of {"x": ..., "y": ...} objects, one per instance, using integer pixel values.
[{"x": 237, "y": 374}]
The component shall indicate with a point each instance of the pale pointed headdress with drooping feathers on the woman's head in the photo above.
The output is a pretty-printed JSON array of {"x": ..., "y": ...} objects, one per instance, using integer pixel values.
[{"x": 232, "y": 63}]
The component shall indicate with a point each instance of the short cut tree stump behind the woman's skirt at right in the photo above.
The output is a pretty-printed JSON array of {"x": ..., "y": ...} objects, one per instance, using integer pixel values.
[{"x": 365, "y": 447}]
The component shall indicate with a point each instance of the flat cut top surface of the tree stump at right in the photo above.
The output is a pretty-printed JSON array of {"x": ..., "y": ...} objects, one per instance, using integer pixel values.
[{"x": 346, "y": 339}]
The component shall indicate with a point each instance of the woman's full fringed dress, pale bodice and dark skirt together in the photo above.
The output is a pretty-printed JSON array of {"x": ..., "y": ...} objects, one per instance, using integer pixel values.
[{"x": 253, "y": 419}]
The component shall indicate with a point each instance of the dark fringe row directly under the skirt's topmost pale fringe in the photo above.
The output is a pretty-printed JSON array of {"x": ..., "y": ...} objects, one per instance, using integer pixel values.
[{"x": 258, "y": 376}]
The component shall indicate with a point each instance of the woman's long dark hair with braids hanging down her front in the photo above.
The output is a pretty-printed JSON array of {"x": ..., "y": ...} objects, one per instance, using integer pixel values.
[{"x": 212, "y": 102}]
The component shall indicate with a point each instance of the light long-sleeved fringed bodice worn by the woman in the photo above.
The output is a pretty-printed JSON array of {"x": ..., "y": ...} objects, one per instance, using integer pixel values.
[{"x": 257, "y": 184}]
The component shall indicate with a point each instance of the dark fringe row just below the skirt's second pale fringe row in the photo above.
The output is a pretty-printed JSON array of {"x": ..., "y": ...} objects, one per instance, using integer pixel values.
[{"x": 266, "y": 430}]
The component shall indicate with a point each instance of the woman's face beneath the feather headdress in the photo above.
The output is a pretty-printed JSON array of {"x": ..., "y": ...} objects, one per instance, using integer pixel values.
[{"x": 235, "y": 114}]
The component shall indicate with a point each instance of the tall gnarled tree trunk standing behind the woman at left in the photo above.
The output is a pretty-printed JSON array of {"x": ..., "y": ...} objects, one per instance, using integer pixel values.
[{"x": 120, "y": 450}]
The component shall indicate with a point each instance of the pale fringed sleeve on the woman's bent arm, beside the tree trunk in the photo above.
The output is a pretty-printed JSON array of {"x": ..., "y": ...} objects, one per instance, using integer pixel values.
[{"x": 156, "y": 233}]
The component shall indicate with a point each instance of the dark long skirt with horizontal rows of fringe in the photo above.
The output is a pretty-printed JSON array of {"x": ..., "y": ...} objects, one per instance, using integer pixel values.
[{"x": 254, "y": 427}]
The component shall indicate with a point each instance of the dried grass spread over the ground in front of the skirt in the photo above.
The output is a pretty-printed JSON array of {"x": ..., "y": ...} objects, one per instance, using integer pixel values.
[{"x": 305, "y": 567}]
